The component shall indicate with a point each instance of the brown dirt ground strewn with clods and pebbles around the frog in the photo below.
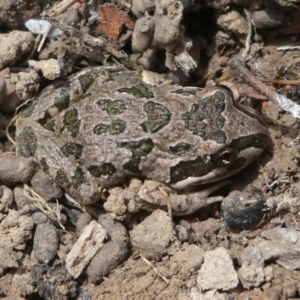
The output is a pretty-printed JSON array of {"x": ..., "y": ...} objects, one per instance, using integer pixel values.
[{"x": 146, "y": 255}]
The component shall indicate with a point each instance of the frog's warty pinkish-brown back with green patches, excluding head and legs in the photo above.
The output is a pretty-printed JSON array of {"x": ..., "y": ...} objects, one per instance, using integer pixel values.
[{"x": 125, "y": 127}]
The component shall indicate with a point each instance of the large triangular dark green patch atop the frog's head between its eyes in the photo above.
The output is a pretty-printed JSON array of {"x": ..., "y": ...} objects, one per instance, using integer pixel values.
[{"x": 205, "y": 119}]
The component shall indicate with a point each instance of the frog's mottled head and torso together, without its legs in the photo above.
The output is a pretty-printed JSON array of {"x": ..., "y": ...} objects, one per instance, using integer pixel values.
[{"x": 123, "y": 127}]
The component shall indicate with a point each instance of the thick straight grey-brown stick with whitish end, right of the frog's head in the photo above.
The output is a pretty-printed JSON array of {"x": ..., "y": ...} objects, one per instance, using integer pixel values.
[{"x": 283, "y": 102}]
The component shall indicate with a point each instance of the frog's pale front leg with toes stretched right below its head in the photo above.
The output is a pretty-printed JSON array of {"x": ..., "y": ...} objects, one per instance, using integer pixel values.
[{"x": 151, "y": 196}]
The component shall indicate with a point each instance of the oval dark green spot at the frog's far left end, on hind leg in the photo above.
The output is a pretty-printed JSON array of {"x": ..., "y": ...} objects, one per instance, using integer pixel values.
[{"x": 27, "y": 142}]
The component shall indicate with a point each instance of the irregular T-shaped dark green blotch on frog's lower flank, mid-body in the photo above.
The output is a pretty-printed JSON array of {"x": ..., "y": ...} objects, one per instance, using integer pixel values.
[{"x": 139, "y": 149}]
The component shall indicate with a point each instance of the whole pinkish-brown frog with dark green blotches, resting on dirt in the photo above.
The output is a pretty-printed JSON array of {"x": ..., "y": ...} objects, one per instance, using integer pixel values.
[{"x": 99, "y": 128}]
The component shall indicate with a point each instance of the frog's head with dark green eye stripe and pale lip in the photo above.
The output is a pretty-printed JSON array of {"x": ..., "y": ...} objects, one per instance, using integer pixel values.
[{"x": 233, "y": 136}]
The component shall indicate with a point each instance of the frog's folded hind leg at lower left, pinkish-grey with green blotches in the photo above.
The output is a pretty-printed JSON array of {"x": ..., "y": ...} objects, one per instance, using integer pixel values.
[{"x": 56, "y": 158}]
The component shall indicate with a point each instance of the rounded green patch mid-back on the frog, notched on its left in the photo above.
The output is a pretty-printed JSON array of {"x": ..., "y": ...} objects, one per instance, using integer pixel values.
[{"x": 158, "y": 116}]
